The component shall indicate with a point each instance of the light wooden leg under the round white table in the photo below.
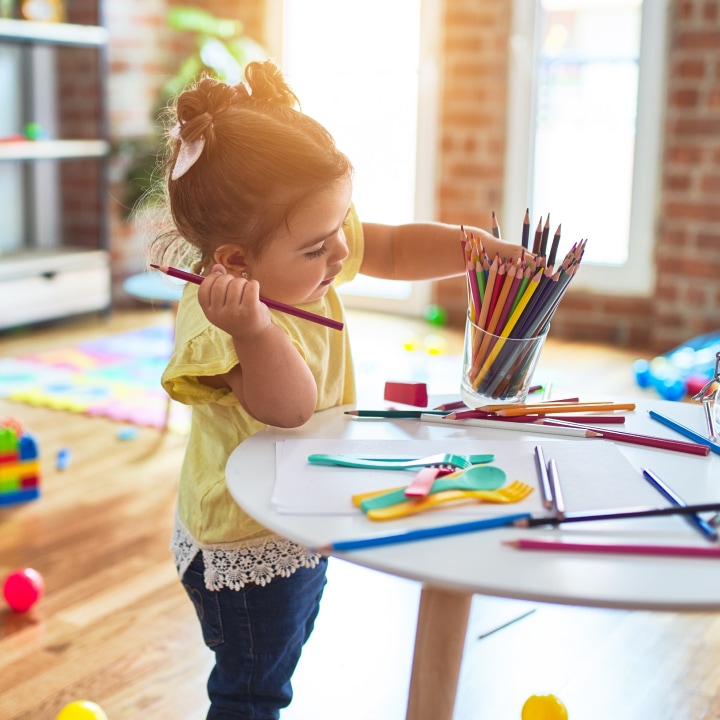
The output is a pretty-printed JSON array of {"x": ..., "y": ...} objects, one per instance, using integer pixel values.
[{"x": 441, "y": 629}]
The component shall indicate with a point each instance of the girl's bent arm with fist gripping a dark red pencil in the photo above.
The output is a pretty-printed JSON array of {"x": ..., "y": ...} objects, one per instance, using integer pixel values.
[{"x": 271, "y": 380}]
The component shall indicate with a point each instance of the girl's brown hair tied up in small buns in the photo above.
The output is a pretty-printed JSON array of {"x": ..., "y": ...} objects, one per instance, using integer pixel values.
[{"x": 261, "y": 157}]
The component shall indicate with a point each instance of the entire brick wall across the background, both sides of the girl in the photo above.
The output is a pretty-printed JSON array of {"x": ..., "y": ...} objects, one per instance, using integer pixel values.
[{"x": 472, "y": 147}]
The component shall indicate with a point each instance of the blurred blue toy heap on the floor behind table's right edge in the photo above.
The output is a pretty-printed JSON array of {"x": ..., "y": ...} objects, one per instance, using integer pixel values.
[{"x": 681, "y": 371}]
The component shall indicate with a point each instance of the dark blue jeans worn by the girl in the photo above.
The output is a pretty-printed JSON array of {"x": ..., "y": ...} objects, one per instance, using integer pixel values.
[{"x": 257, "y": 634}]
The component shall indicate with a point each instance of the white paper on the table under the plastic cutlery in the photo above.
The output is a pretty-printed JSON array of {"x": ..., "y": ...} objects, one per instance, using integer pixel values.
[{"x": 594, "y": 475}]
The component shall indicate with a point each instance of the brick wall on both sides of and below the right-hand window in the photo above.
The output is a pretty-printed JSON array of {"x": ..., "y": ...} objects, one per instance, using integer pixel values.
[{"x": 686, "y": 301}]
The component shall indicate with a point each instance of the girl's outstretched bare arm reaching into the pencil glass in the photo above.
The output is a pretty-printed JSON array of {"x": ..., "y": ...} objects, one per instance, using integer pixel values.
[{"x": 423, "y": 251}]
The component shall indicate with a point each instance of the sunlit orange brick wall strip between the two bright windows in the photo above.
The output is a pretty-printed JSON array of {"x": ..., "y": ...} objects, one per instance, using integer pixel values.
[{"x": 472, "y": 125}]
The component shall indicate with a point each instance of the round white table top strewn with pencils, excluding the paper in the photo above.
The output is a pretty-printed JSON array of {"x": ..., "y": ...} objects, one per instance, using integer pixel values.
[{"x": 479, "y": 562}]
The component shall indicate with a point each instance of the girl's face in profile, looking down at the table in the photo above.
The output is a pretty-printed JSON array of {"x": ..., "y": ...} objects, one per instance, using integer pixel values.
[{"x": 300, "y": 262}]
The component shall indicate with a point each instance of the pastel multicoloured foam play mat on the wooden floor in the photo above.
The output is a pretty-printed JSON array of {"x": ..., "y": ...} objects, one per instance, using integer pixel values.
[{"x": 115, "y": 376}]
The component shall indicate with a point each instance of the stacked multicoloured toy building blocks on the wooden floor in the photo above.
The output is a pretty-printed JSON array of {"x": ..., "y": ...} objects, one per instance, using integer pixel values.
[{"x": 19, "y": 464}]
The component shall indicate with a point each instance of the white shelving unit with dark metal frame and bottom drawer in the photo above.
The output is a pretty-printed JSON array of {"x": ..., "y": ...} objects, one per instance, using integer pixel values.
[{"x": 45, "y": 272}]
